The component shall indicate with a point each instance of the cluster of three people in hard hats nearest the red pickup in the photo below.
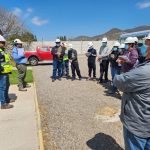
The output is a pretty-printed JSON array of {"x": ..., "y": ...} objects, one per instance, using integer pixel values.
[{"x": 61, "y": 59}]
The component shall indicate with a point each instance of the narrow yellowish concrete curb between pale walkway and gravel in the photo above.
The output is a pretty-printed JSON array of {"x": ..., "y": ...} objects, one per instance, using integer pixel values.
[{"x": 38, "y": 118}]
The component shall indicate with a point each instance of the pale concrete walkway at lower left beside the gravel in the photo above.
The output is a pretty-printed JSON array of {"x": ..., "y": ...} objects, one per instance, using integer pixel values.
[{"x": 18, "y": 126}]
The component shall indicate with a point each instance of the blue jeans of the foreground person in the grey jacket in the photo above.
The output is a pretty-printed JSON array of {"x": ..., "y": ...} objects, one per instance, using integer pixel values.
[{"x": 133, "y": 142}]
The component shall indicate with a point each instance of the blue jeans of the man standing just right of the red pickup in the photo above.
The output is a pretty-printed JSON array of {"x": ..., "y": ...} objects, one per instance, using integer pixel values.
[{"x": 57, "y": 65}]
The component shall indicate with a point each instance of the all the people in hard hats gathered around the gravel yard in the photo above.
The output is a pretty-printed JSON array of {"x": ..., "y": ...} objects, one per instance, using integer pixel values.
[{"x": 130, "y": 71}]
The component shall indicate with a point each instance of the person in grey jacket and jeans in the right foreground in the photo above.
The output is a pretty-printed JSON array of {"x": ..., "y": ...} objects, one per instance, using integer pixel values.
[{"x": 135, "y": 110}]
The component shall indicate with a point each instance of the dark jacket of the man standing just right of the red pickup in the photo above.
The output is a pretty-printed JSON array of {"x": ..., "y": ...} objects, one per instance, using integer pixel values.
[{"x": 54, "y": 51}]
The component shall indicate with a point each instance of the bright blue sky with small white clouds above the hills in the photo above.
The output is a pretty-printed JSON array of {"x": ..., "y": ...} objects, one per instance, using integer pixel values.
[{"x": 51, "y": 18}]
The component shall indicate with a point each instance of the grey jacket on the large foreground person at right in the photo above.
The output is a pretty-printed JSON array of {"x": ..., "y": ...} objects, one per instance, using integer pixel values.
[{"x": 135, "y": 109}]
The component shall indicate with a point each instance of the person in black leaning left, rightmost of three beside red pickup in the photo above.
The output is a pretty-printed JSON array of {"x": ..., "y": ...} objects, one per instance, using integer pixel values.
[{"x": 72, "y": 55}]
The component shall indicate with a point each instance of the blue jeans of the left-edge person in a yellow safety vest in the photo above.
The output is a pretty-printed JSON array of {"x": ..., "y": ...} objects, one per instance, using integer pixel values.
[{"x": 4, "y": 88}]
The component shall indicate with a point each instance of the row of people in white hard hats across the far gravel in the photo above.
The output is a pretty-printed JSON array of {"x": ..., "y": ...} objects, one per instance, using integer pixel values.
[{"x": 122, "y": 58}]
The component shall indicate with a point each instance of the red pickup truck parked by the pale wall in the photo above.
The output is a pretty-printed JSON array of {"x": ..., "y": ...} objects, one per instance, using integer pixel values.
[{"x": 40, "y": 54}]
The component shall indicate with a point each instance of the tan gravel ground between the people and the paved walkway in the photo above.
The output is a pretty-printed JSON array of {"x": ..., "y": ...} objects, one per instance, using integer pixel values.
[{"x": 69, "y": 110}]
